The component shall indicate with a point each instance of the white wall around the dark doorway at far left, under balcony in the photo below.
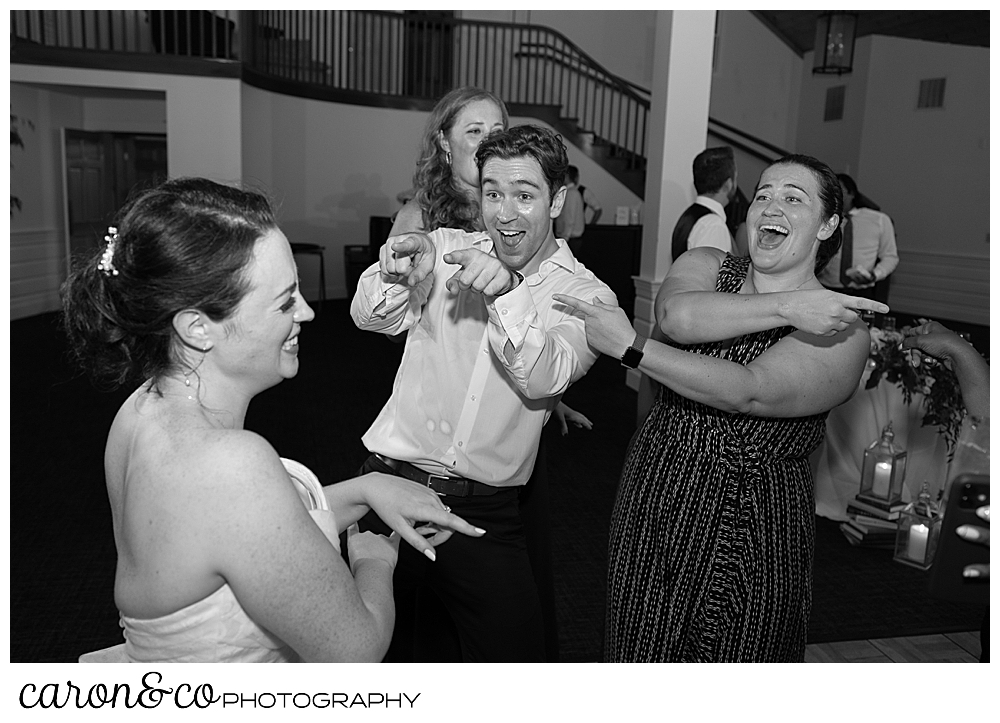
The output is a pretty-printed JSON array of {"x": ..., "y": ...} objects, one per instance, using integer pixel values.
[{"x": 201, "y": 120}]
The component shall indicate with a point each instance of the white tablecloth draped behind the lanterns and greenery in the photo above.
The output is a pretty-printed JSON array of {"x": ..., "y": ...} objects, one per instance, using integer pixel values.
[{"x": 852, "y": 426}]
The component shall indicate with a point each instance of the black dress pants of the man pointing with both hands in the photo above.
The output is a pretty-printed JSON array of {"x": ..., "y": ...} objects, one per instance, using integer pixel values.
[{"x": 484, "y": 585}]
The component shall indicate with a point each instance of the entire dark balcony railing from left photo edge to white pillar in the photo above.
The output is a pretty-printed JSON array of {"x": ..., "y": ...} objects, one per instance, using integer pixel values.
[{"x": 376, "y": 57}]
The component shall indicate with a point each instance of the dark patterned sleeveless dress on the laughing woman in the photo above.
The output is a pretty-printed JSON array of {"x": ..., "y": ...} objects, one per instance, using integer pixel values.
[{"x": 712, "y": 531}]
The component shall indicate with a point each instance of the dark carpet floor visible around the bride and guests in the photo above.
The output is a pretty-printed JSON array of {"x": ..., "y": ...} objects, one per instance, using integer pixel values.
[{"x": 62, "y": 551}]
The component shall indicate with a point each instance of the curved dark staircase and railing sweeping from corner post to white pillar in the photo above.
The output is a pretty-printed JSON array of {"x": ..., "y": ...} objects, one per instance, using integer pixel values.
[{"x": 410, "y": 60}]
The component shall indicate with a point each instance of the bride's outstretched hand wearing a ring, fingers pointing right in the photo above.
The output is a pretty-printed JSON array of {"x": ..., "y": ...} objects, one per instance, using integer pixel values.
[{"x": 414, "y": 511}]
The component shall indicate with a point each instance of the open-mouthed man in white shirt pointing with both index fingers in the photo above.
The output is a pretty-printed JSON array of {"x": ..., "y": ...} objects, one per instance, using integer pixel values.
[{"x": 488, "y": 355}]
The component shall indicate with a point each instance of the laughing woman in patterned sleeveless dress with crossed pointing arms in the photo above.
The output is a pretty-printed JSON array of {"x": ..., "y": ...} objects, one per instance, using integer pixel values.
[{"x": 712, "y": 530}]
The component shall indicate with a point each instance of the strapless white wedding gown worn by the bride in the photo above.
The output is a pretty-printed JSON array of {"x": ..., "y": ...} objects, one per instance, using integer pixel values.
[{"x": 216, "y": 629}]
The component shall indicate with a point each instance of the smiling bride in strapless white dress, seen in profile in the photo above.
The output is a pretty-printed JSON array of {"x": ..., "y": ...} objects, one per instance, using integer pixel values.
[{"x": 226, "y": 552}]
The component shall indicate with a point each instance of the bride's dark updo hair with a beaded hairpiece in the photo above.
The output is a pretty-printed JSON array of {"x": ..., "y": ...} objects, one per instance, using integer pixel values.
[{"x": 184, "y": 244}]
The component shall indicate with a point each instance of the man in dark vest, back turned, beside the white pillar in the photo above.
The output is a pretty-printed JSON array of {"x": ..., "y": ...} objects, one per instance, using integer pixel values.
[{"x": 703, "y": 223}]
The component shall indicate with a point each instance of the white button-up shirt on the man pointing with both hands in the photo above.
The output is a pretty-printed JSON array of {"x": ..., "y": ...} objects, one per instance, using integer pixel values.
[{"x": 460, "y": 405}]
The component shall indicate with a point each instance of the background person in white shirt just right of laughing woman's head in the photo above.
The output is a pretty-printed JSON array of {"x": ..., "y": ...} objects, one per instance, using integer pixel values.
[{"x": 868, "y": 252}]
